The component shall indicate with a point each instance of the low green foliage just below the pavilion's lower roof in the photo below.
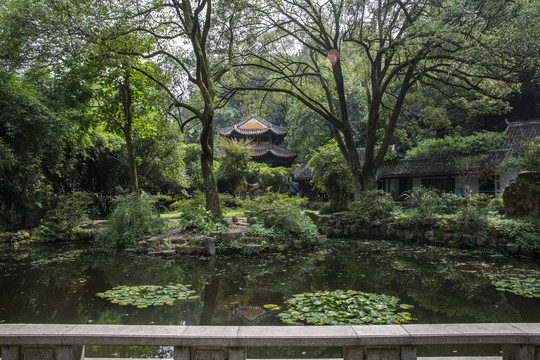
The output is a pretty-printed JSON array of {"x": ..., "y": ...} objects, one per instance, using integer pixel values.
[{"x": 269, "y": 179}]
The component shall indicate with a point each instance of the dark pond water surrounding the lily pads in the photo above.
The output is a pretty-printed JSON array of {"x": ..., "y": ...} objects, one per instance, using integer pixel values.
[{"x": 57, "y": 284}]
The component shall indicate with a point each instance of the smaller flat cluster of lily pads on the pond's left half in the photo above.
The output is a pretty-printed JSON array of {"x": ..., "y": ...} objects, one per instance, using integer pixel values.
[{"x": 147, "y": 295}]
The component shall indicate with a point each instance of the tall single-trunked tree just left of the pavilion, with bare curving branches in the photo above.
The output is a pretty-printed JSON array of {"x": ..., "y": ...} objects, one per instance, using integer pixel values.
[{"x": 199, "y": 40}]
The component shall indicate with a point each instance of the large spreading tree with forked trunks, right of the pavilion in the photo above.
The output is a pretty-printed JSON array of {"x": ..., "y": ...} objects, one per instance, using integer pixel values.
[{"x": 319, "y": 51}]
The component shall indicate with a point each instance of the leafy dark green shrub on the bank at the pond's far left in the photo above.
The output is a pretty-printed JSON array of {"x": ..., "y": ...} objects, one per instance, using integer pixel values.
[{"x": 69, "y": 211}]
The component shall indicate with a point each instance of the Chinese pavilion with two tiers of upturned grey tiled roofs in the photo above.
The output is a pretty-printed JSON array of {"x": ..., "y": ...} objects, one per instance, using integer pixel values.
[{"x": 265, "y": 138}]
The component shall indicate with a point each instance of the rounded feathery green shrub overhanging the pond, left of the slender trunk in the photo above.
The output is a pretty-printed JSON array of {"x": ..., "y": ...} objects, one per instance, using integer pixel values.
[{"x": 133, "y": 218}]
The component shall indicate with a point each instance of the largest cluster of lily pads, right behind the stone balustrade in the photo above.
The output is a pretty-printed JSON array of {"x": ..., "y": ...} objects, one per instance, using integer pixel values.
[{"x": 342, "y": 307}]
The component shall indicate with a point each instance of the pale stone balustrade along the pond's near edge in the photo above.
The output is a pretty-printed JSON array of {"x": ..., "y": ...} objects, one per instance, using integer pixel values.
[{"x": 370, "y": 342}]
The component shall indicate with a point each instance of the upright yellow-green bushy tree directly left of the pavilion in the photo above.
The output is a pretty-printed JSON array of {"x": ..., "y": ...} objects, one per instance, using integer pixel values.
[{"x": 233, "y": 165}]
